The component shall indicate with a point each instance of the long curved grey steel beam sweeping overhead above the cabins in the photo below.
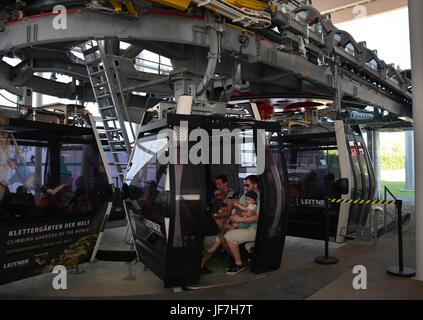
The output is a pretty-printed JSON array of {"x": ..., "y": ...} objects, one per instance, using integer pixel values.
[{"x": 171, "y": 30}]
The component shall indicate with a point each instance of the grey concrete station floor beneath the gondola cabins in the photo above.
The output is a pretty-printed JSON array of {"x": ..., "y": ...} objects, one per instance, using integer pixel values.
[{"x": 299, "y": 277}]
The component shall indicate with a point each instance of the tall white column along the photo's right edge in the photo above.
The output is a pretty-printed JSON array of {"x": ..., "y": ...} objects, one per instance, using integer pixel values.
[{"x": 415, "y": 8}]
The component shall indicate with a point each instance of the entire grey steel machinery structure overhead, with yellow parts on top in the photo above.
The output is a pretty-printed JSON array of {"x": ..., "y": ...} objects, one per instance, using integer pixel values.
[{"x": 286, "y": 51}]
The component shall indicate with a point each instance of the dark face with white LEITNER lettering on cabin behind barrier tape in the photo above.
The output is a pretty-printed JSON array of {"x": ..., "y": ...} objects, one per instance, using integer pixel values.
[{"x": 313, "y": 168}]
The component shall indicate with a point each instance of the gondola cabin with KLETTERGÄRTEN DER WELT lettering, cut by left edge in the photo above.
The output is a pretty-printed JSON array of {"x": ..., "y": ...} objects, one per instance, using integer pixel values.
[{"x": 55, "y": 193}]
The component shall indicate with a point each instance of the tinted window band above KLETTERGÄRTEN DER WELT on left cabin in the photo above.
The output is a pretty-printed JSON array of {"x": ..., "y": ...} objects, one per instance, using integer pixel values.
[{"x": 27, "y": 180}]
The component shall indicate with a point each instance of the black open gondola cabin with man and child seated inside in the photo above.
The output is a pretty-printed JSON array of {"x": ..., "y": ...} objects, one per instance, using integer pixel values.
[{"x": 170, "y": 189}]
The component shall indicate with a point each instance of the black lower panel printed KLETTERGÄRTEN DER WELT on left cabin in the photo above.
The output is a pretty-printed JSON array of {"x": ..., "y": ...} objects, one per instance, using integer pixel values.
[{"x": 30, "y": 247}]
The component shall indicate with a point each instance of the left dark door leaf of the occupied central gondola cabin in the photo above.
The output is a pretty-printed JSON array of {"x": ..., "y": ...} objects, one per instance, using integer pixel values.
[{"x": 185, "y": 242}]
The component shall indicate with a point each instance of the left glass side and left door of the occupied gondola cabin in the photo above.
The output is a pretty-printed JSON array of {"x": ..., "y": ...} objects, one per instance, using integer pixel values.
[{"x": 166, "y": 204}]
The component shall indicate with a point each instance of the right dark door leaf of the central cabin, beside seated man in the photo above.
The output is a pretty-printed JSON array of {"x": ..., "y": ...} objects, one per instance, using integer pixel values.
[{"x": 273, "y": 218}]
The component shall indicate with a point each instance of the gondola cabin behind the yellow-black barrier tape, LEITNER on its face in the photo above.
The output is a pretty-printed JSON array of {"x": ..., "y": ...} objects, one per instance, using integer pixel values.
[{"x": 318, "y": 157}]
